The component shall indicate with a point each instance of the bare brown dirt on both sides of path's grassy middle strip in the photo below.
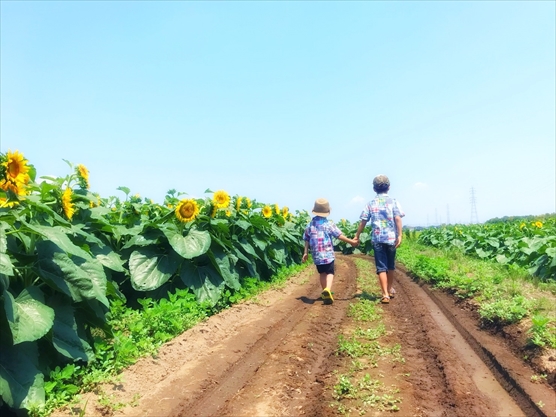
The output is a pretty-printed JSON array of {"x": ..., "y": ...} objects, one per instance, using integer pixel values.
[{"x": 274, "y": 356}]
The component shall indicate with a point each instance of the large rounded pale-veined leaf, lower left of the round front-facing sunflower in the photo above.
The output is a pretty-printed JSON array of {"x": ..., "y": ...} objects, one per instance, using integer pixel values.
[{"x": 150, "y": 269}]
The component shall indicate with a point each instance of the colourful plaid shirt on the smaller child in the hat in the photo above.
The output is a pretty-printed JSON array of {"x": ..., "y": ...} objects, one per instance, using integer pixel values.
[{"x": 319, "y": 234}]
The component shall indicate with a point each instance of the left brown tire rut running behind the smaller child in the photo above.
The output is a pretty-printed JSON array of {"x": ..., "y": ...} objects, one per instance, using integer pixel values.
[{"x": 275, "y": 376}]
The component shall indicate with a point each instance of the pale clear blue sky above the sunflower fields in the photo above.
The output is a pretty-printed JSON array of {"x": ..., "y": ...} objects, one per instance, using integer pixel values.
[{"x": 286, "y": 102}]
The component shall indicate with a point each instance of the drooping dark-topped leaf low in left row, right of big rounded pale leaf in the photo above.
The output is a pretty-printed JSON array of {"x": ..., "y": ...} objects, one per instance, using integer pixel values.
[{"x": 204, "y": 280}]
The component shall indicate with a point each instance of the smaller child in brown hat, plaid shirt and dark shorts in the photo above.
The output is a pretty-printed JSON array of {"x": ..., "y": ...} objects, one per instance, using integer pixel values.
[{"x": 318, "y": 236}]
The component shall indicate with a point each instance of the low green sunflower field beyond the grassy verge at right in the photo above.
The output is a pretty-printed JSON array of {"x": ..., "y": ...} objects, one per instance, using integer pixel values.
[{"x": 527, "y": 243}]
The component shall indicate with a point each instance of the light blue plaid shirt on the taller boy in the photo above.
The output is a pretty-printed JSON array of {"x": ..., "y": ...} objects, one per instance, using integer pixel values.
[{"x": 381, "y": 212}]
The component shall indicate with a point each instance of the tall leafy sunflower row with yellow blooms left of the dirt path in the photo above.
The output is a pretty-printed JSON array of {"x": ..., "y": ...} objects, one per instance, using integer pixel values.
[{"x": 68, "y": 256}]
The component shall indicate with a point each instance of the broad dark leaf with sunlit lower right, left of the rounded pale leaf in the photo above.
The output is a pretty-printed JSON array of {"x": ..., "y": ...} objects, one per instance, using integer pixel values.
[{"x": 76, "y": 277}]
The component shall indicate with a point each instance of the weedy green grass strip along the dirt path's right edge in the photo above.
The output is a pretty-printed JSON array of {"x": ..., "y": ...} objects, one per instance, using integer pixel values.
[{"x": 503, "y": 295}]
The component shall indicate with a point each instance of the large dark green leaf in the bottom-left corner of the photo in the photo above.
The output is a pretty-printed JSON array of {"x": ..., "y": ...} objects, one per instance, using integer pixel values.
[{"x": 21, "y": 382}]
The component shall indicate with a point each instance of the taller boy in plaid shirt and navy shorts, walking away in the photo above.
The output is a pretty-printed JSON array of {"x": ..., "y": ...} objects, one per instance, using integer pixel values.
[{"x": 385, "y": 214}]
